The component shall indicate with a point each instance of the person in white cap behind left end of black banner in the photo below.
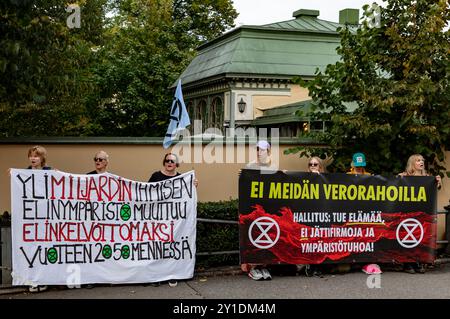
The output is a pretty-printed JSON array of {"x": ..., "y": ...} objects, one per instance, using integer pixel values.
[{"x": 263, "y": 161}]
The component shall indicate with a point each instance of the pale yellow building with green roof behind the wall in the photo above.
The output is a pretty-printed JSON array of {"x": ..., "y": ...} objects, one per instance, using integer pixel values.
[{"x": 237, "y": 78}]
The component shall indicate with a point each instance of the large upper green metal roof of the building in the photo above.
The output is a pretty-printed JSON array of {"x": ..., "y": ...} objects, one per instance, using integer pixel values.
[{"x": 278, "y": 50}]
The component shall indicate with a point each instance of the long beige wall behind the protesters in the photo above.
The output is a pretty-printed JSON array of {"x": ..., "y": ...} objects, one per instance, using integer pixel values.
[{"x": 217, "y": 181}]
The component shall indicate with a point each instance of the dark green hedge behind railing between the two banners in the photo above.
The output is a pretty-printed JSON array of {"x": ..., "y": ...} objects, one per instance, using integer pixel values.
[{"x": 217, "y": 237}]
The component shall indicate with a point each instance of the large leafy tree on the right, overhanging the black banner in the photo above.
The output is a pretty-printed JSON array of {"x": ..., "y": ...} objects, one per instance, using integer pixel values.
[{"x": 397, "y": 74}]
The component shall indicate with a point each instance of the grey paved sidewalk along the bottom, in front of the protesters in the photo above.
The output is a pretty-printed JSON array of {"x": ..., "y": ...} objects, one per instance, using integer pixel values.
[{"x": 354, "y": 285}]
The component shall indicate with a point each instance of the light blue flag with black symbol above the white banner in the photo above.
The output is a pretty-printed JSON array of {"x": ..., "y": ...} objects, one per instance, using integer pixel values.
[{"x": 179, "y": 117}]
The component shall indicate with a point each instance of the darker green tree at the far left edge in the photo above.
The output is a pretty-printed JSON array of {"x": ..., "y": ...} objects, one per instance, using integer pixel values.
[{"x": 44, "y": 68}]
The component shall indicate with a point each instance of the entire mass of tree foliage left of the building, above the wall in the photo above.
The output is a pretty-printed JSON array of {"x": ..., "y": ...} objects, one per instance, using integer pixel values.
[{"x": 111, "y": 76}]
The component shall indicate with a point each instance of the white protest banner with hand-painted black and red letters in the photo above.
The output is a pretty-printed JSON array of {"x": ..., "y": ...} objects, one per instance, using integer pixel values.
[{"x": 77, "y": 229}]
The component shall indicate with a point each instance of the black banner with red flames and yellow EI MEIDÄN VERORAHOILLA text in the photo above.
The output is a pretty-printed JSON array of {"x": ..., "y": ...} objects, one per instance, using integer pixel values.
[{"x": 306, "y": 218}]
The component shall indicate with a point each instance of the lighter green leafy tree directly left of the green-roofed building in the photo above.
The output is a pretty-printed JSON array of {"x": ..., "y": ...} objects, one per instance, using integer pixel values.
[{"x": 148, "y": 44}]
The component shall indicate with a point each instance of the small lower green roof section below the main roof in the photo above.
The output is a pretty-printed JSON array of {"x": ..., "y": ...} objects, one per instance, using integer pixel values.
[{"x": 284, "y": 114}]
